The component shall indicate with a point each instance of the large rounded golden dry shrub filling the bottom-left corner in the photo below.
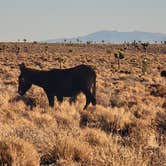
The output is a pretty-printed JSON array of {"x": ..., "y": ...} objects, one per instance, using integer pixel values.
[{"x": 16, "y": 151}]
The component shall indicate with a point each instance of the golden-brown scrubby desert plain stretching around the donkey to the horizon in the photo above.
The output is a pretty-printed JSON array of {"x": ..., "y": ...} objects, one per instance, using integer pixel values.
[{"x": 127, "y": 127}]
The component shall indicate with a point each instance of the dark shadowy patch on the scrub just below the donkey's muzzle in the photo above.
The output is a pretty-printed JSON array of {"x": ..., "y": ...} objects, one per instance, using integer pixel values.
[{"x": 30, "y": 102}]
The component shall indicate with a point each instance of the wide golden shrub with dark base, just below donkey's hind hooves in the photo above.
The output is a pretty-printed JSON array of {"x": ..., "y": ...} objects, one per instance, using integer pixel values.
[{"x": 111, "y": 121}]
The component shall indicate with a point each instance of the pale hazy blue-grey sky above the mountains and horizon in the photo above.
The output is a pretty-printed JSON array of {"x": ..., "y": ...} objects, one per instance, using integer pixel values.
[{"x": 47, "y": 19}]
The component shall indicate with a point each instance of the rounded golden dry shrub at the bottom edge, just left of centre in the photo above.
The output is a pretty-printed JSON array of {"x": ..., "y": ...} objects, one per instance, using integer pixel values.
[{"x": 71, "y": 149}]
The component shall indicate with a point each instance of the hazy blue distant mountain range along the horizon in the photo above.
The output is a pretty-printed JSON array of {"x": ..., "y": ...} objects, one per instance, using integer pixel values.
[{"x": 114, "y": 37}]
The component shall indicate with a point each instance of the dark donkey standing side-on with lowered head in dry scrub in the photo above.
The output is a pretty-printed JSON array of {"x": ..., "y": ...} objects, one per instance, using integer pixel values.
[{"x": 60, "y": 82}]
